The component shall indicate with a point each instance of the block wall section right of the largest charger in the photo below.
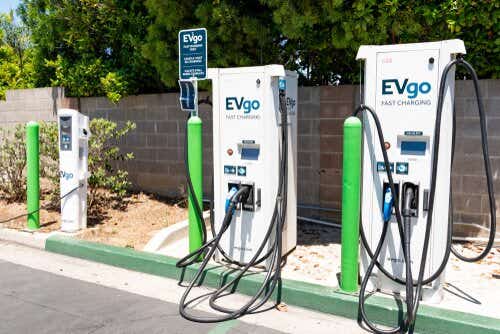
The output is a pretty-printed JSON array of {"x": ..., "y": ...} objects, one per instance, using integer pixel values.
[{"x": 470, "y": 199}]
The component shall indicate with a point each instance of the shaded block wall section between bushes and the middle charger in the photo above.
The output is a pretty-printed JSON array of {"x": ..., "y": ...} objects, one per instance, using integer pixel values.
[{"x": 157, "y": 142}]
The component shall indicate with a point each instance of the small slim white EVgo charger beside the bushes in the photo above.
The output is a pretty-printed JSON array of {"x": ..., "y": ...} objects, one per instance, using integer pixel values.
[{"x": 74, "y": 135}]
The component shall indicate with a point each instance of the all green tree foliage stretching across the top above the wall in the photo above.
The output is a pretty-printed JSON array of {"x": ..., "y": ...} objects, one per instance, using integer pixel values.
[{"x": 117, "y": 47}]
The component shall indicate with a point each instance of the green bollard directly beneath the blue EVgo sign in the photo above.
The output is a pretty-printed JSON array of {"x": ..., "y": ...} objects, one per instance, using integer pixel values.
[{"x": 195, "y": 161}]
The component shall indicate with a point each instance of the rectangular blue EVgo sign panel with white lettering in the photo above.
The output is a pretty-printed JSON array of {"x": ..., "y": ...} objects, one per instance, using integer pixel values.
[{"x": 193, "y": 54}]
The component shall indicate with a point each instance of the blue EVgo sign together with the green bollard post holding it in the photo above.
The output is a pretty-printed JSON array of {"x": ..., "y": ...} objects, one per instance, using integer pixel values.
[{"x": 193, "y": 67}]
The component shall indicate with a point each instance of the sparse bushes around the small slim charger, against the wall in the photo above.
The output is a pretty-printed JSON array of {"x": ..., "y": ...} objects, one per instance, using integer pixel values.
[{"x": 108, "y": 184}]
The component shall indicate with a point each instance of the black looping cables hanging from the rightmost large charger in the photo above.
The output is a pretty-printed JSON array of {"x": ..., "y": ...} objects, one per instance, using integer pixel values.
[{"x": 413, "y": 298}]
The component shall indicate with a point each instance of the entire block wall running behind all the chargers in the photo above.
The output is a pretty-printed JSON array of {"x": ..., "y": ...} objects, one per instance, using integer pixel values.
[{"x": 158, "y": 140}]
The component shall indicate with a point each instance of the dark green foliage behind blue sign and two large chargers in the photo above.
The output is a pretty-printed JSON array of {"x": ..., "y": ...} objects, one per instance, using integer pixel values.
[{"x": 319, "y": 38}]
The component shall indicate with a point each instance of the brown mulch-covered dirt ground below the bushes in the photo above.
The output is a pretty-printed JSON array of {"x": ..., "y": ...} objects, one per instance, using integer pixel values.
[{"x": 143, "y": 216}]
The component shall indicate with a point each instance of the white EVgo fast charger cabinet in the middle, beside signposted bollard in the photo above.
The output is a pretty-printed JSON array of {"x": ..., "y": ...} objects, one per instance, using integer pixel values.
[{"x": 246, "y": 146}]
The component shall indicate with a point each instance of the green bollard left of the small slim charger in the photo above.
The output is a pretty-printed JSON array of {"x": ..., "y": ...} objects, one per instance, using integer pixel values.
[{"x": 33, "y": 174}]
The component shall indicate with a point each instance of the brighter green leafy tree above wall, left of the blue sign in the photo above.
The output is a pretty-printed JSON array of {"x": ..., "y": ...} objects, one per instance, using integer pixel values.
[{"x": 91, "y": 47}]
